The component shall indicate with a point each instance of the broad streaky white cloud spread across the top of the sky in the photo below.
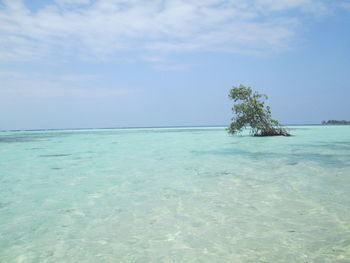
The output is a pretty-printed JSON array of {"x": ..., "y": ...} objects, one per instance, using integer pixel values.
[{"x": 103, "y": 28}]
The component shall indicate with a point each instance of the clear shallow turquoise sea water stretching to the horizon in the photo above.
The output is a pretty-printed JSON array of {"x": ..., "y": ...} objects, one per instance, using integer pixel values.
[{"x": 175, "y": 195}]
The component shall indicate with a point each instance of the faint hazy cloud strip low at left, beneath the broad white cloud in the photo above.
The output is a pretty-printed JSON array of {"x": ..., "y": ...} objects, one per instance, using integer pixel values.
[{"x": 16, "y": 84}]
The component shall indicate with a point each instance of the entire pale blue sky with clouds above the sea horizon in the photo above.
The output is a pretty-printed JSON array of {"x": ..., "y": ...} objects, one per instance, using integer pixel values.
[{"x": 137, "y": 63}]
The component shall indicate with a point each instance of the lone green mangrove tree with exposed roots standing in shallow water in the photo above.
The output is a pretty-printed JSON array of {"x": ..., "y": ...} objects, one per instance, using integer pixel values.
[{"x": 250, "y": 111}]
